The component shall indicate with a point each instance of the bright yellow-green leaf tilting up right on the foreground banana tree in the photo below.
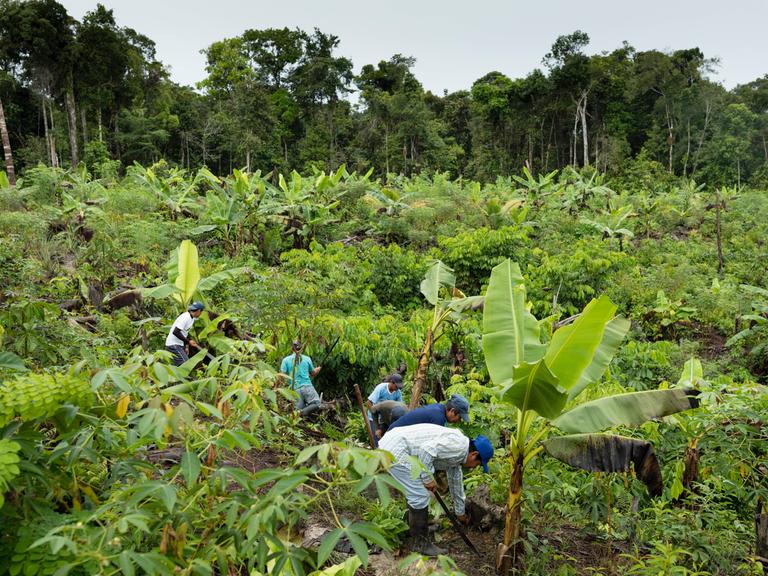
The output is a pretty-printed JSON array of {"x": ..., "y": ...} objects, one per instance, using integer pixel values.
[{"x": 573, "y": 347}]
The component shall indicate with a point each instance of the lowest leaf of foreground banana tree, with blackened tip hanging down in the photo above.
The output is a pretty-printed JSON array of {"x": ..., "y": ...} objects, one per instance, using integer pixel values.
[{"x": 609, "y": 453}]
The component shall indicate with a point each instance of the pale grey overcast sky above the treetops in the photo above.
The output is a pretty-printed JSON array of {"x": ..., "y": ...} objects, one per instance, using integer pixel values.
[{"x": 456, "y": 42}]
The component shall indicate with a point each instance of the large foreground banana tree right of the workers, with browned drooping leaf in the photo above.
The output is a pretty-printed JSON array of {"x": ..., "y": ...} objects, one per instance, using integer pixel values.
[{"x": 541, "y": 379}]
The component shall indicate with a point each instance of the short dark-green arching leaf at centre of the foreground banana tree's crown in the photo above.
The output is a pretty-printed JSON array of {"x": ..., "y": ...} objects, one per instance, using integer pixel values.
[{"x": 534, "y": 387}]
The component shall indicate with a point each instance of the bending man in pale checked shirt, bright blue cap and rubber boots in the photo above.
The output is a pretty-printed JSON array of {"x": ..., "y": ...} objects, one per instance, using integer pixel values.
[{"x": 436, "y": 448}]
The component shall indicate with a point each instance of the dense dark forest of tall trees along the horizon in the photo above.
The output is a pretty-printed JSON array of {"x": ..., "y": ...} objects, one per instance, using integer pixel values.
[{"x": 283, "y": 99}]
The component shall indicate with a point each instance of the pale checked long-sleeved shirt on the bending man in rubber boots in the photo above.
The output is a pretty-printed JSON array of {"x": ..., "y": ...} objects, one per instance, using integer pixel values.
[{"x": 437, "y": 448}]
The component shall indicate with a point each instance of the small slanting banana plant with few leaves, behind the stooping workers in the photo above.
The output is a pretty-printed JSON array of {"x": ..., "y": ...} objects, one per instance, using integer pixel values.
[{"x": 439, "y": 288}]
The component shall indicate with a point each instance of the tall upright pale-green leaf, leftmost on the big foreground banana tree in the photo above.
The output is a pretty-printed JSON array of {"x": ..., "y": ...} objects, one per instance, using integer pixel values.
[{"x": 510, "y": 332}]
